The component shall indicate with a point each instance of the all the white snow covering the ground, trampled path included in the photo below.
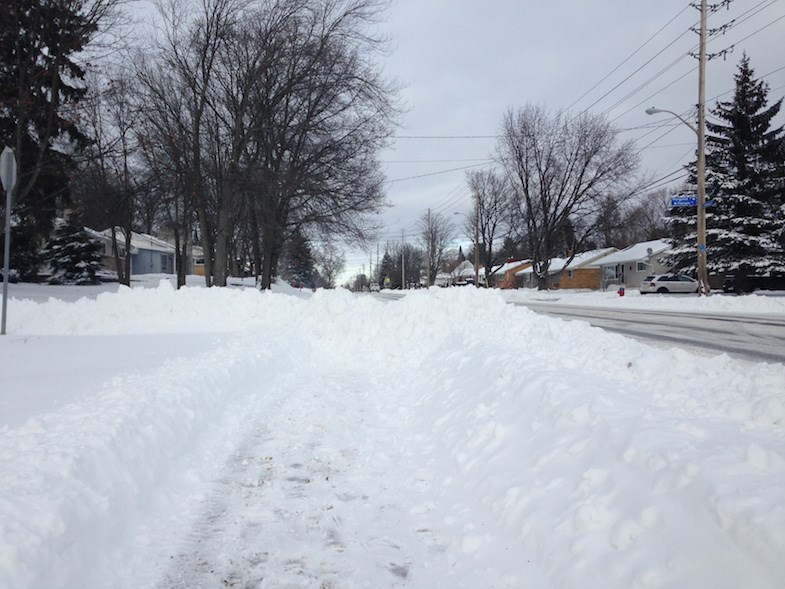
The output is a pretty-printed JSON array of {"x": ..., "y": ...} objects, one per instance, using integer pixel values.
[{"x": 151, "y": 437}]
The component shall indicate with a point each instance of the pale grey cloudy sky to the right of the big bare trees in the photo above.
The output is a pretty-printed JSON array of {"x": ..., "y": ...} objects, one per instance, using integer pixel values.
[{"x": 463, "y": 63}]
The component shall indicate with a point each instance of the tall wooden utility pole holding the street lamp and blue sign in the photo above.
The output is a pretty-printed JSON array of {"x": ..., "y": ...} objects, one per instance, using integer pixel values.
[{"x": 703, "y": 275}]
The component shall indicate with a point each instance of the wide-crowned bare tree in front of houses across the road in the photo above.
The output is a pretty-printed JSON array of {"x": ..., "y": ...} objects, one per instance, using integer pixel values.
[{"x": 561, "y": 168}]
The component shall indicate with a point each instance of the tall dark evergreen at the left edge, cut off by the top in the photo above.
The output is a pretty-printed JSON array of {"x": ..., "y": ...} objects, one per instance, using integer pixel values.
[{"x": 40, "y": 83}]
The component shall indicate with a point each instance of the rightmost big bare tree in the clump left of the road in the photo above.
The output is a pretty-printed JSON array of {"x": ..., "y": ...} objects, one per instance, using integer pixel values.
[{"x": 324, "y": 112}]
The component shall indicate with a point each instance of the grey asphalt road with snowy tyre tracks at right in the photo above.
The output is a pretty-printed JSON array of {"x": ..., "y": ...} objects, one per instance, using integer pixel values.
[{"x": 751, "y": 337}]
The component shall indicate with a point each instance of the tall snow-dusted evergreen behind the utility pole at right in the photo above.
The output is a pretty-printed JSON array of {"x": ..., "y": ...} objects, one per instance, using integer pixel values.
[{"x": 745, "y": 180}]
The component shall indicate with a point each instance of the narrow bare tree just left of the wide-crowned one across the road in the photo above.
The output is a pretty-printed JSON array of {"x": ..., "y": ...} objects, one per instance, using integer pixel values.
[{"x": 492, "y": 203}]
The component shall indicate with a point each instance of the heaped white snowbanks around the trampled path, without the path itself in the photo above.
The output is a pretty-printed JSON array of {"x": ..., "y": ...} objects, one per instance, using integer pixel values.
[{"x": 603, "y": 461}]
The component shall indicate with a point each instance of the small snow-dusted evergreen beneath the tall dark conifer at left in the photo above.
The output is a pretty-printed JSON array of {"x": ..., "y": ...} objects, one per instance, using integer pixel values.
[{"x": 74, "y": 256}]
